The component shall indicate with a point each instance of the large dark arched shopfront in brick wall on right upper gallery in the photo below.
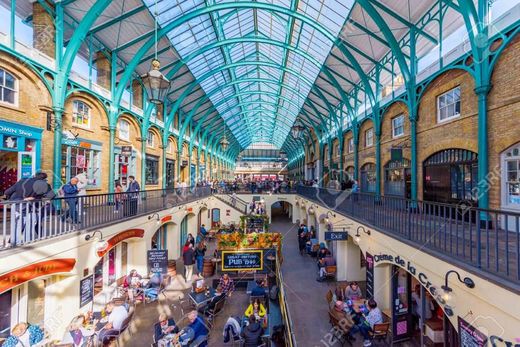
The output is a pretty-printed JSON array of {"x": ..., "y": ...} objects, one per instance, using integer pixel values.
[{"x": 450, "y": 176}]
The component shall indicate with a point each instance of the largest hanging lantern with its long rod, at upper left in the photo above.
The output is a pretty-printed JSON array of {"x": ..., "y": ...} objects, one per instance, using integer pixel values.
[{"x": 155, "y": 84}]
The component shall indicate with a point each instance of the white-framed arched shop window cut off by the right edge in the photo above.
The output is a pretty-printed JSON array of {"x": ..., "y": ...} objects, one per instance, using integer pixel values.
[{"x": 511, "y": 177}]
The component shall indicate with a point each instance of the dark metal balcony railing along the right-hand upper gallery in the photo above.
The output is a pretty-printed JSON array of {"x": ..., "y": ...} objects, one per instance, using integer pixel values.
[{"x": 487, "y": 240}]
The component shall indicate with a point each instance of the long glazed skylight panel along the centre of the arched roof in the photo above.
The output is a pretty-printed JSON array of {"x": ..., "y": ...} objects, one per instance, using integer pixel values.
[{"x": 258, "y": 88}]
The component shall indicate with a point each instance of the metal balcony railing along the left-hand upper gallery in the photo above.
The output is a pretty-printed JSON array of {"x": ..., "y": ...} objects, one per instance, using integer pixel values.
[{"x": 24, "y": 222}]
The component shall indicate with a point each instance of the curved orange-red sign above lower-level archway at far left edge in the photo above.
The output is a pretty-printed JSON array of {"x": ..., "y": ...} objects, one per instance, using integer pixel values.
[{"x": 30, "y": 272}]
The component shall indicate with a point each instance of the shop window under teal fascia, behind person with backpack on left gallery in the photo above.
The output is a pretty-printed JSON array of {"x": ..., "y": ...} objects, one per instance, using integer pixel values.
[{"x": 78, "y": 160}]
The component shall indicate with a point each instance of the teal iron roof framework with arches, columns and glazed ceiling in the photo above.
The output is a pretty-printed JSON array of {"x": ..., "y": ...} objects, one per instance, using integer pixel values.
[{"x": 252, "y": 68}]
